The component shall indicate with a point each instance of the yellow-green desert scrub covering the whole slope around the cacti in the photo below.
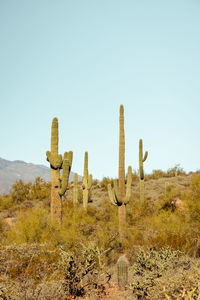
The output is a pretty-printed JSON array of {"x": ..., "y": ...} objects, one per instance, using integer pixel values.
[{"x": 42, "y": 260}]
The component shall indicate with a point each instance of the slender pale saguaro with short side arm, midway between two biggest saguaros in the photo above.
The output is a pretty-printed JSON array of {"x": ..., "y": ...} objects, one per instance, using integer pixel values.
[{"x": 87, "y": 182}]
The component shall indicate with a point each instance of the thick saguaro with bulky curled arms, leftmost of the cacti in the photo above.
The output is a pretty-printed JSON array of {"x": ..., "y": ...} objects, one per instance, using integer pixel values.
[{"x": 59, "y": 183}]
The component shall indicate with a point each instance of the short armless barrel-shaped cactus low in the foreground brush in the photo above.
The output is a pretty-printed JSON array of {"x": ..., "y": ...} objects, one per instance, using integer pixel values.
[{"x": 122, "y": 271}]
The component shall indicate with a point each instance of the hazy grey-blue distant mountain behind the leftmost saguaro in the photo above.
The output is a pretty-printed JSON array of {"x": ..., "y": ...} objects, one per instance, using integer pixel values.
[{"x": 10, "y": 171}]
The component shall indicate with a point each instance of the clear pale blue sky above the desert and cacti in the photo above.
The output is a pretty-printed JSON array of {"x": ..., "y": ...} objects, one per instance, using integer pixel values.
[{"x": 78, "y": 60}]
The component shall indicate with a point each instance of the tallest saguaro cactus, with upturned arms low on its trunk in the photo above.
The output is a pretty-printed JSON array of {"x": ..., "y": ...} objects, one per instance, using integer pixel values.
[{"x": 120, "y": 194}]
